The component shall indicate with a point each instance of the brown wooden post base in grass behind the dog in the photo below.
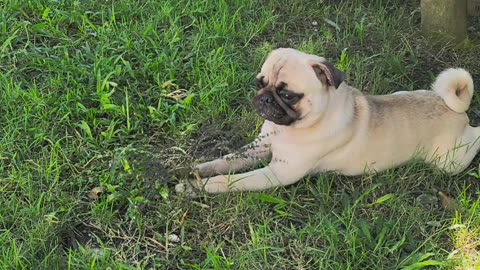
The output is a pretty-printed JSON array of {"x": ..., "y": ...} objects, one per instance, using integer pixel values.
[{"x": 446, "y": 18}]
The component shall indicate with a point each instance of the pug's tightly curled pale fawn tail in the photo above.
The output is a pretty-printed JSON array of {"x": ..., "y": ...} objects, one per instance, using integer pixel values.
[{"x": 455, "y": 86}]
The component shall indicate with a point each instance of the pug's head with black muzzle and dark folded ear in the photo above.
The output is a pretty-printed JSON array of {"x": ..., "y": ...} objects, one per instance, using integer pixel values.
[{"x": 293, "y": 87}]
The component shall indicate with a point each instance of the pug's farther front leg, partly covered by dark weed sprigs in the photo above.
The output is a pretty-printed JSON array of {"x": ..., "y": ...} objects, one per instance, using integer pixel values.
[{"x": 248, "y": 156}]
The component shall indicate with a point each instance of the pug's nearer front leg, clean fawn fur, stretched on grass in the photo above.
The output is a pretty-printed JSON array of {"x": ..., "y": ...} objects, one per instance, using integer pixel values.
[{"x": 257, "y": 180}]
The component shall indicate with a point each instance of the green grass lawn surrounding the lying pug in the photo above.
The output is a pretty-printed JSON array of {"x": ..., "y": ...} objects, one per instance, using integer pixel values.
[{"x": 127, "y": 95}]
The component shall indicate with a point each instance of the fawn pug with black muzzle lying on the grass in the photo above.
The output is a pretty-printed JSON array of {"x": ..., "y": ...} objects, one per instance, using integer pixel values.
[{"x": 315, "y": 122}]
